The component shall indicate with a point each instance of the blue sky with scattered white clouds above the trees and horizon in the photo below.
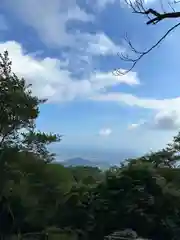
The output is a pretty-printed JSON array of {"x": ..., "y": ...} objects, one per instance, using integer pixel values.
[{"x": 69, "y": 49}]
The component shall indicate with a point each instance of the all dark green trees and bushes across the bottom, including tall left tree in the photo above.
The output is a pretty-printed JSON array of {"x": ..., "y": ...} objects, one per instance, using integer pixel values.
[{"x": 42, "y": 199}]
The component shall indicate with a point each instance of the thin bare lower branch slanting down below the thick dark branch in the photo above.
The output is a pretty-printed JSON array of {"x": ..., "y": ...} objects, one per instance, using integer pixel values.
[{"x": 118, "y": 72}]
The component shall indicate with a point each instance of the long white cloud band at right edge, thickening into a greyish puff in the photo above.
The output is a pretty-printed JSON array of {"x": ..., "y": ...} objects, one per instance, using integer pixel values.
[{"x": 167, "y": 112}]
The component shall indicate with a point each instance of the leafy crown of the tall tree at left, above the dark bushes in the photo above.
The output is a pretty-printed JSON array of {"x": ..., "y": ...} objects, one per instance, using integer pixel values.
[{"x": 18, "y": 111}]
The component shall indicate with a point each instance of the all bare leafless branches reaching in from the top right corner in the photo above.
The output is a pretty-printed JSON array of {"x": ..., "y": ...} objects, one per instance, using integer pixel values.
[{"x": 154, "y": 17}]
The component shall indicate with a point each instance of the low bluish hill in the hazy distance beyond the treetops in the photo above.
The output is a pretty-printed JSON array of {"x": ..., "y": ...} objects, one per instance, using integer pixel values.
[{"x": 84, "y": 162}]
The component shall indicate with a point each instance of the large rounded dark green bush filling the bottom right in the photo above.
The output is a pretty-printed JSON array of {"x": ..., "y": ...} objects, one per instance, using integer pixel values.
[{"x": 140, "y": 198}]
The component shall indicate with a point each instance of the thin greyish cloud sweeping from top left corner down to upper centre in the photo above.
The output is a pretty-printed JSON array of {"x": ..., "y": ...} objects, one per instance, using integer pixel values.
[{"x": 50, "y": 23}]
